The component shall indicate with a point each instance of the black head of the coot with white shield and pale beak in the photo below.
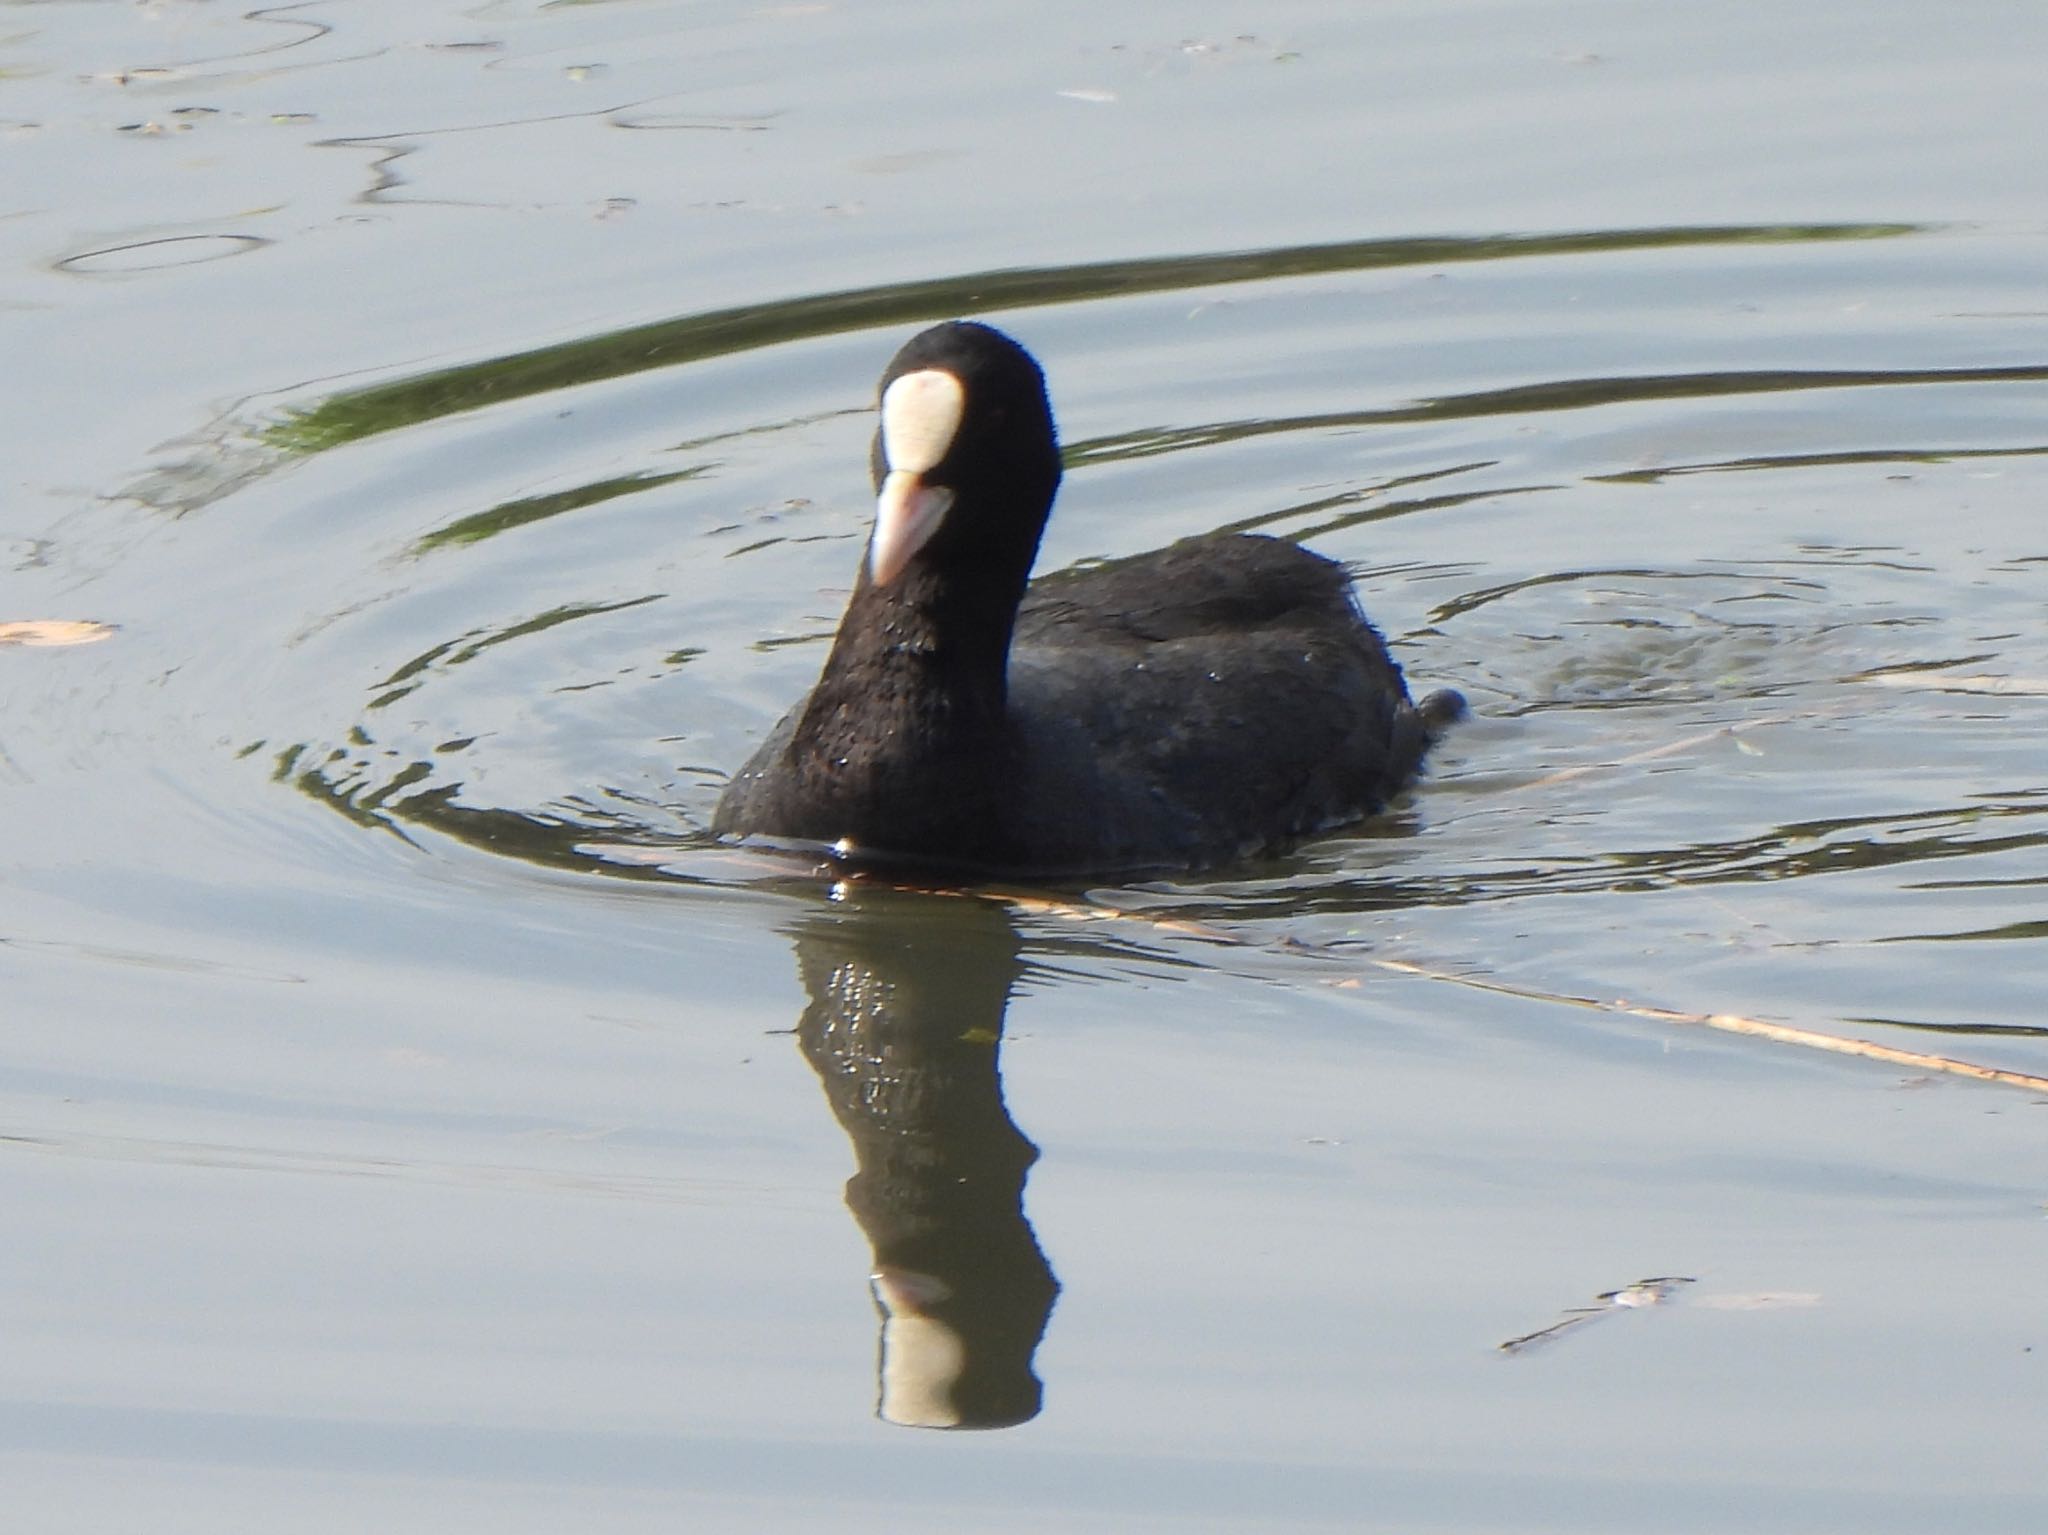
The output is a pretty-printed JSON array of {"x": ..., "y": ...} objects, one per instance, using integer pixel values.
[{"x": 966, "y": 464}]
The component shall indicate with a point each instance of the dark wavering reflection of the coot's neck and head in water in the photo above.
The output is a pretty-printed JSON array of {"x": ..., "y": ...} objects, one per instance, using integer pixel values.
[{"x": 904, "y": 1028}]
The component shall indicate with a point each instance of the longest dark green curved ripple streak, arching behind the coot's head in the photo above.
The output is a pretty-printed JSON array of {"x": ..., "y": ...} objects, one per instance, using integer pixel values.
[{"x": 722, "y": 333}]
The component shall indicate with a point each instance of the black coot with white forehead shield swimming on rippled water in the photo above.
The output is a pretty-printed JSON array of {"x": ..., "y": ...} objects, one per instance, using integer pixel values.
[{"x": 1215, "y": 699}]
